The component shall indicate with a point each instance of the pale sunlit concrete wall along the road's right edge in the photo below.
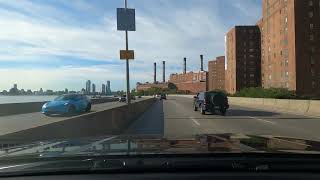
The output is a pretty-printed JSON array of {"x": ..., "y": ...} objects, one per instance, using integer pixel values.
[{"x": 293, "y": 106}]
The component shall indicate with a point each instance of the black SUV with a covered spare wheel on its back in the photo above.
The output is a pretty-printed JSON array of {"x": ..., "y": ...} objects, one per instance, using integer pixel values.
[{"x": 210, "y": 101}]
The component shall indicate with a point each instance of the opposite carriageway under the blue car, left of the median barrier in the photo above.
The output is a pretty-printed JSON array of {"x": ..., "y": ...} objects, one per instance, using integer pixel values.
[{"x": 19, "y": 122}]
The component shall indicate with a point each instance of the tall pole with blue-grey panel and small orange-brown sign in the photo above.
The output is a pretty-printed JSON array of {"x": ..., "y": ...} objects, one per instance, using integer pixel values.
[{"x": 126, "y": 22}]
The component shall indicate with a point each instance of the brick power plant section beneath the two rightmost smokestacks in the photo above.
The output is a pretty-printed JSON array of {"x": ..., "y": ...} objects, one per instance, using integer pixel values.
[{"x": 190, "y": 82}]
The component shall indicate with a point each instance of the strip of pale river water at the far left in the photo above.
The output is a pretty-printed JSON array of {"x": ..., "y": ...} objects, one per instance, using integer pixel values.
[{"x": 22, "y": 99}]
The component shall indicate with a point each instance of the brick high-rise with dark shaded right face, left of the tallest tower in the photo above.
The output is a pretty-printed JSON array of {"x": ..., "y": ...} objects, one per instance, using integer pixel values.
[{"x": 243, "y": 51}]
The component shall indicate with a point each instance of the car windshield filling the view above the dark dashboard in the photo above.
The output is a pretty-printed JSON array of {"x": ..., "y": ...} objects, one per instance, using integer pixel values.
[{"x": 141, "y": 77}]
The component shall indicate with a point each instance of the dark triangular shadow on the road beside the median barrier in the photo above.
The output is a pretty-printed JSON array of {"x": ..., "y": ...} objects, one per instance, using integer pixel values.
[{"x": 150, "y": 122}]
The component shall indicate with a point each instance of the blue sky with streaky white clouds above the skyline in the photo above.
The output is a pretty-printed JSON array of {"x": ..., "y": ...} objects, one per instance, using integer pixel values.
[{"x": 57, "y": 44}]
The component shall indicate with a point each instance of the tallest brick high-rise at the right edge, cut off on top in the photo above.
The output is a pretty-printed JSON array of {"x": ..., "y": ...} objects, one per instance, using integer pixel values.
[{"x": 291, "y": 45}]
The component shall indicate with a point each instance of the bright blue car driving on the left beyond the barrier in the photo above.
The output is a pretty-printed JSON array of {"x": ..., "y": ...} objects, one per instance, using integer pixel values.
[{"x": 67, "y": 104}]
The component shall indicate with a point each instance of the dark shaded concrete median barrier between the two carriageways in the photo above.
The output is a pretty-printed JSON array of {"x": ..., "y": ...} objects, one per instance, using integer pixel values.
[{"x": 107, "y": 122}]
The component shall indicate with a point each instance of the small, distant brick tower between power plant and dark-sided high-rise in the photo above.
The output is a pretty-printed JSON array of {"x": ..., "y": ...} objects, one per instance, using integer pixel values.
[{"x": 216, "y": 74}]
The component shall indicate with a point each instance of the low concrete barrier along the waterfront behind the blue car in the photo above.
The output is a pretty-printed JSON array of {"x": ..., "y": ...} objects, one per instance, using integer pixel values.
[{"x": 30, "y": 107}]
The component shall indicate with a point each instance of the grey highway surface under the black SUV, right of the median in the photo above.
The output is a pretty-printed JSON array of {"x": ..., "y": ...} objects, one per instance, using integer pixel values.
[{"x": 175, "y": 118}]
